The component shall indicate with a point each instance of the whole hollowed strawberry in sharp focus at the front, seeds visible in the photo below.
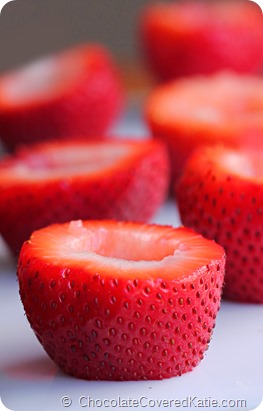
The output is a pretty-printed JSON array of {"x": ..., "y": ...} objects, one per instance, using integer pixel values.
[{"x": 121, "y": 301}]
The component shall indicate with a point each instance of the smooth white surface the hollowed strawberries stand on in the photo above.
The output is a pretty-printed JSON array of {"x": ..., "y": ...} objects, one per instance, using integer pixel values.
[{"x": 232, "y": 368}]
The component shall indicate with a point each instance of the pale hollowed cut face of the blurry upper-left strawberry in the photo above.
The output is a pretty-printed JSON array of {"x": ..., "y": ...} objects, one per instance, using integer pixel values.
[{"x": 44, "y": 78}]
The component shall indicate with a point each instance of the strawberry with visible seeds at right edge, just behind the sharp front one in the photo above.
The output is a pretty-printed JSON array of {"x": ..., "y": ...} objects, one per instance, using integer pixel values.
[{"x": 220, "y": 195}]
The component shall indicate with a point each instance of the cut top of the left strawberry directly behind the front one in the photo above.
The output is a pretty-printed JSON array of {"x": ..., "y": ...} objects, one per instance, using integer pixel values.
[{"x": 52, "y": 161}]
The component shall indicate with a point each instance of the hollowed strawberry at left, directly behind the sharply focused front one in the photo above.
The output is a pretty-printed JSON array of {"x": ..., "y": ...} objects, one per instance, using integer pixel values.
[{"x": 59, "y": 181}]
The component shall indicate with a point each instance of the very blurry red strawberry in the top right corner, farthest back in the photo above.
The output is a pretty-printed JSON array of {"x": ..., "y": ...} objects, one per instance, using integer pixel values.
[{"x": 200, "y": 37}]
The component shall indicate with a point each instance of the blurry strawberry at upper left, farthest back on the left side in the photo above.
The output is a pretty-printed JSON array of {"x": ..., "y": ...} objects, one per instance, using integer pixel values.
[{"x": 74, "y": 92}]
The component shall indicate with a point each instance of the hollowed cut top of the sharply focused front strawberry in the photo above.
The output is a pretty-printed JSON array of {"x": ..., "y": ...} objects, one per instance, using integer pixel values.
[{"x": 125, "y": 249}]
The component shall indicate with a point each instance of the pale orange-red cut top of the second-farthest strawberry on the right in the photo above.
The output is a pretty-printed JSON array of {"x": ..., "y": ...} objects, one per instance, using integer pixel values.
[{"x": 215, "y": 100}]
